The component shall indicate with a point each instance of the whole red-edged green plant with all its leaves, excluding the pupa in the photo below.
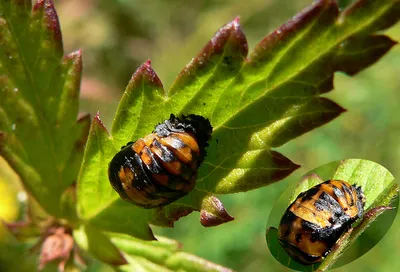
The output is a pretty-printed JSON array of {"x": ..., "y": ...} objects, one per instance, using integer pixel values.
[{"x": 254, "y": 104}]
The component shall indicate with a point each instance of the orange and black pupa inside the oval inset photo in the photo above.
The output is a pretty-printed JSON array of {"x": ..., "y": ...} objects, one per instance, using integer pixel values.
[{"x": 313, "y": 223}]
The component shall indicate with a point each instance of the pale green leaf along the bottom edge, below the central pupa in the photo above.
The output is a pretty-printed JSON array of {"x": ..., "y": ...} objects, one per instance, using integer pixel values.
[{"x": 161, "y": 255}]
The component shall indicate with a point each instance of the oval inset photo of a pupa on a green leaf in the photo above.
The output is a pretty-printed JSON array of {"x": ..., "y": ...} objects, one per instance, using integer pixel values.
[{"x": 333, "y": 215}]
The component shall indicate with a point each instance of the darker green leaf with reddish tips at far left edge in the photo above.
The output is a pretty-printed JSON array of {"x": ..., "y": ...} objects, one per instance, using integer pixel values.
[{"x": 39, "y": 93}]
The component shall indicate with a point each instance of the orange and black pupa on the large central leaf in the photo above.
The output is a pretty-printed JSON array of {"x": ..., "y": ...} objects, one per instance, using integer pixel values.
[{"x": 161, "y": 167}]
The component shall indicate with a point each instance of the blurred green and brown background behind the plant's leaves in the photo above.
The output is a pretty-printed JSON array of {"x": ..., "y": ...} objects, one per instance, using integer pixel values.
[{"x": 117, "y": 36}]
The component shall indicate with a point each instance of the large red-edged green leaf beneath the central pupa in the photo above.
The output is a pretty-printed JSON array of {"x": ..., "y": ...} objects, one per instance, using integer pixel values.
[{"x": 254, "y": 103}]
